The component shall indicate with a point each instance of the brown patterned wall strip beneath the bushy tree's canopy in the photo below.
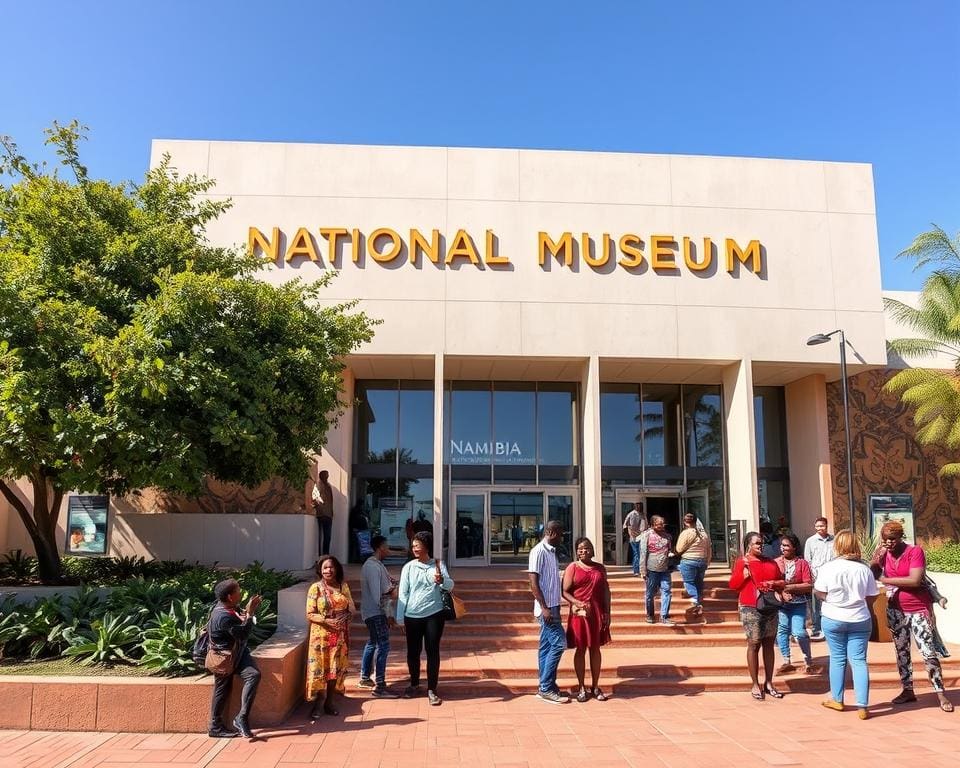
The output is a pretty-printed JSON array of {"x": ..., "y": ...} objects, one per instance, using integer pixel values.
[{"x": 274, "y": 497}]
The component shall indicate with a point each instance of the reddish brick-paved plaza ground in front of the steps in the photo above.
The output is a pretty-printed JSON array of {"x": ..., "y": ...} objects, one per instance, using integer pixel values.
[{"x": 655, "y": 731}]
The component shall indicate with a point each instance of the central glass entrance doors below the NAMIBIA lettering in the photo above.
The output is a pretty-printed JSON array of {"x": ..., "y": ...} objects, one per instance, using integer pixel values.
[{"x": 499, "y": 526}]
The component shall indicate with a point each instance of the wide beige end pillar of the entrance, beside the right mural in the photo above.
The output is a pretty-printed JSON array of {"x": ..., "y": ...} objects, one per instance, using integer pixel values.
[{"x": 808, "y": 453}]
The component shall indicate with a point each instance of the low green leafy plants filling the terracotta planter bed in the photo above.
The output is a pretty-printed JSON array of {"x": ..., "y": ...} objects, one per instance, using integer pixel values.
[{"x": 147, "y": 620}]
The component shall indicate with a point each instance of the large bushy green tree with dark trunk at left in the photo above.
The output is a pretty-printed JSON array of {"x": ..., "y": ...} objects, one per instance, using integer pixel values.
[{"x": 134, "y": 353}]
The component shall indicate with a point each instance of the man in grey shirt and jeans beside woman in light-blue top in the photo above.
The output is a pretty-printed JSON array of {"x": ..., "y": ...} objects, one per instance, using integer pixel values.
[{"x": 377, "y": 589}]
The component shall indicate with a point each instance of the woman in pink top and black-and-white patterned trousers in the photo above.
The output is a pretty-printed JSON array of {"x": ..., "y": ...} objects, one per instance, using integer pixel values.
[{"x": 901, "y": 567}]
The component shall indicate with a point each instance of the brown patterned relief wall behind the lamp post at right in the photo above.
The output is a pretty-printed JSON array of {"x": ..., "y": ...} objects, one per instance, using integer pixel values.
[{"x": 887, "y": 459}]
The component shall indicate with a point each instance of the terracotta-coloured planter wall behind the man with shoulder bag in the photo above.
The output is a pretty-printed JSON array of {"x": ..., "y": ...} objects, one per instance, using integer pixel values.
[{"x": 154, "y": 704}]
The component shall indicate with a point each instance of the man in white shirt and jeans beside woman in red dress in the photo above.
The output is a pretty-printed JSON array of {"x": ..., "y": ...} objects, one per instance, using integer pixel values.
[{"x": 544, "y": 573}]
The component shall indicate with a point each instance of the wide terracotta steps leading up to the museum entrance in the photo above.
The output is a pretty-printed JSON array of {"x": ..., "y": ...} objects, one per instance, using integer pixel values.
[{"x": 492, "y": 650}]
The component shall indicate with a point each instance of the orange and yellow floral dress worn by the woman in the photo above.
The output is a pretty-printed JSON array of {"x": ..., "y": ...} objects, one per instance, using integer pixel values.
[{"x": 327, "y": 654}]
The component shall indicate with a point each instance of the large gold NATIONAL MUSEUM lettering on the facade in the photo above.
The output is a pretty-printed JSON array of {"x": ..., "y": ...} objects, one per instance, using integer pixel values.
[{"x": 664, "y": 253}]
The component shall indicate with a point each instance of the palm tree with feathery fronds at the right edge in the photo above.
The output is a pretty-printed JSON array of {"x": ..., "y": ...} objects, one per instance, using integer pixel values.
[{"x": 934, "y": 394}]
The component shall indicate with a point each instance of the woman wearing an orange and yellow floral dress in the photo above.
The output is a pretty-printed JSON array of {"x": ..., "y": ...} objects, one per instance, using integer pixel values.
[{"x": 329, "y": 610}]
